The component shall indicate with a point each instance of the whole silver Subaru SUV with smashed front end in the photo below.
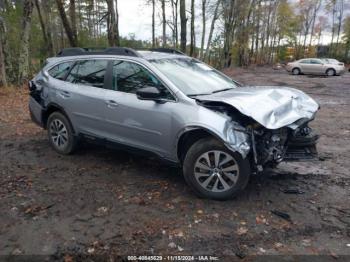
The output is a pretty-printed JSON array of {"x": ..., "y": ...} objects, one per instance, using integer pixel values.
[{"x": 176, "y": 108}]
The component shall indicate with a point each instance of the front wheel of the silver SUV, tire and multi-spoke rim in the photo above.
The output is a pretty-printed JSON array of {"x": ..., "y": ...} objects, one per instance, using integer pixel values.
[{"x": 215, "y": 172}]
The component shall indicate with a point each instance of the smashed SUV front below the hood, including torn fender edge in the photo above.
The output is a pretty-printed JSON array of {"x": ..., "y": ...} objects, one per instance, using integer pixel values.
[{"x": 268, "y": 147}]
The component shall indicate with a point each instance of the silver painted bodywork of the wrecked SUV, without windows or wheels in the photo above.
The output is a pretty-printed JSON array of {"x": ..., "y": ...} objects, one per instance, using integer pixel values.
[{"x": 157, "y": 127}]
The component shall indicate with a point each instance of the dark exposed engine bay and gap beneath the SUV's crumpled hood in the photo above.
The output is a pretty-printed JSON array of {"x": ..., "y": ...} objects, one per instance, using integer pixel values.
[{"x": 271, "y": 146}]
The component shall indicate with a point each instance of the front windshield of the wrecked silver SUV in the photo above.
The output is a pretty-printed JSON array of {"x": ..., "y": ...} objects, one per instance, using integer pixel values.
[{"x": 193, "y": 77}]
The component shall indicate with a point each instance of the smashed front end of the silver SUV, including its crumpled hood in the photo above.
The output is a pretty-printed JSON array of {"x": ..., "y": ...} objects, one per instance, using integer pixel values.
[{"x": 268, "y": 136}]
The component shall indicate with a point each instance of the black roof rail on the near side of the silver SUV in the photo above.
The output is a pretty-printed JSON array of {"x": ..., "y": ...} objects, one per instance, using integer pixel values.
[{"x": 75, "y": 51}]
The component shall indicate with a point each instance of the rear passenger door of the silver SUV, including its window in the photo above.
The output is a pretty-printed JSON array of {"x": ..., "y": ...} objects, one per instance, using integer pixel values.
[{"x": 82, "y": 95}]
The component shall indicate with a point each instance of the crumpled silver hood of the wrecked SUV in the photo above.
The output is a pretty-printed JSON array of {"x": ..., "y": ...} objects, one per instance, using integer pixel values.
[{"x": 272, "y": 107}]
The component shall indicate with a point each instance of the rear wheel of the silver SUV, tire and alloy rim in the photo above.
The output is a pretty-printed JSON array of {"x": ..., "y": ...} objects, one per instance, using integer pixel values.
[{"x": 61, "y": 134}]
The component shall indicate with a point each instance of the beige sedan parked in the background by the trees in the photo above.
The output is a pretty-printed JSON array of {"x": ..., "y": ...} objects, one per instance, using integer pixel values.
[{"x": 316, "y": 66}]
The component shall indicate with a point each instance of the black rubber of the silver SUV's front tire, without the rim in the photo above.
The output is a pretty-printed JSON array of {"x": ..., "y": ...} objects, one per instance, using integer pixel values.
[{"x": 205, "y": 145}]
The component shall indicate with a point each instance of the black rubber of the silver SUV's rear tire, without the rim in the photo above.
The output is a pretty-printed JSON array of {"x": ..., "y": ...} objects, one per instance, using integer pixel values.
[{"x": 71, "y": 137}]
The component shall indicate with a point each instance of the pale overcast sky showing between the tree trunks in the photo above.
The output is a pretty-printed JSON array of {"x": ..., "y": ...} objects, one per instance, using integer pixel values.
[{"x": 135, "y": 18}]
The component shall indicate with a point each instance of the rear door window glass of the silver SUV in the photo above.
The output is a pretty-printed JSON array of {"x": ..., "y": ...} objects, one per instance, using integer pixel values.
[{"x": 89, "y": 72}]
